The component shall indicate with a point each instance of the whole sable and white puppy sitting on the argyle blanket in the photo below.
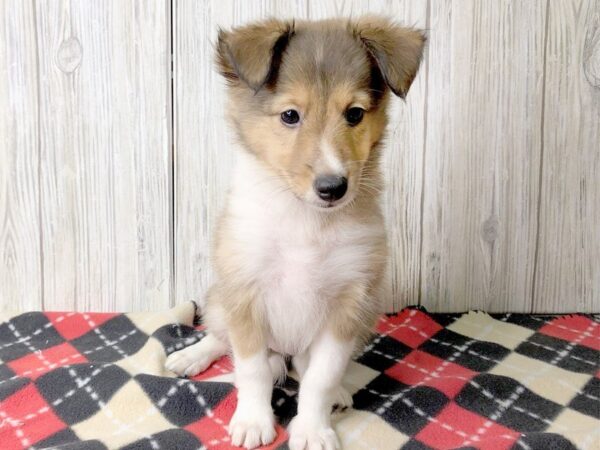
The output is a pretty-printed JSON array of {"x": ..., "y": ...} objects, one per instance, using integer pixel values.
[{"x": 301, "y": 248}]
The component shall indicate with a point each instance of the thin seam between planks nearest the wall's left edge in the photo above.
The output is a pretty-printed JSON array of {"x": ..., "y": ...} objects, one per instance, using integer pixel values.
[{"x": 39, "y": 155}]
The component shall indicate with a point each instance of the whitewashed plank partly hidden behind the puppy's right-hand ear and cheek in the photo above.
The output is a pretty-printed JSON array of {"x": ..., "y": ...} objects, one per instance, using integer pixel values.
[{"x": 403, "y": 151}]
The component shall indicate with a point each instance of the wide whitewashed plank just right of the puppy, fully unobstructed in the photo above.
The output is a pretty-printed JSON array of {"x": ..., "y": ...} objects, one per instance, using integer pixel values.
[{"x": 482, "y": 162}]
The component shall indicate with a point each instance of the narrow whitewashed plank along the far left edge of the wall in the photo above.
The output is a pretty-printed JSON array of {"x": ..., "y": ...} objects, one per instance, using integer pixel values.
[{"x": 20, "y": 252}]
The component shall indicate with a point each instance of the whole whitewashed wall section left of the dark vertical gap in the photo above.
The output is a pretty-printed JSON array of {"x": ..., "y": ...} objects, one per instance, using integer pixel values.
[{"x": 85, "y": 218}]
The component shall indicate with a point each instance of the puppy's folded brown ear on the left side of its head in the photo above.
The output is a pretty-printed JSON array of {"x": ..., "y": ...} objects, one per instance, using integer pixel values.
[{"x": 252, "y": 53}]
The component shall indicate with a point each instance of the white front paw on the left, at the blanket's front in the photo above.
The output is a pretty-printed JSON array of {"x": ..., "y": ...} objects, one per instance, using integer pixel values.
[{"x": 250, "y": 429}]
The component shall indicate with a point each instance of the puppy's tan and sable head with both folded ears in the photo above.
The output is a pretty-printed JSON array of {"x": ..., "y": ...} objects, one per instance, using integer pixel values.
[{"x": 308, "y": 99}]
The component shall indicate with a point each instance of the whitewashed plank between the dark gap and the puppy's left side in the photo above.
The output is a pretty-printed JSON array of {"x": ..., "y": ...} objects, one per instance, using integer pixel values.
[{"x": 203, "y": 141}]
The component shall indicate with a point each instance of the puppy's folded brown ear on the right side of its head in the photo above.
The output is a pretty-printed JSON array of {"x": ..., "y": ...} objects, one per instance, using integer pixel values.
[{"x": 396, "y": 50}]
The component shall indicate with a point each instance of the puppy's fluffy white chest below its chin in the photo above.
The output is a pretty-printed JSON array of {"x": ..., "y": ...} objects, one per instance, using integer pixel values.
[{"x": 300, "y": 275}]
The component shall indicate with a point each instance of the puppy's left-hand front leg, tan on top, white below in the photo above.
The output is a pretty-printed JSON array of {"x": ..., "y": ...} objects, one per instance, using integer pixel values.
[{"x": 253, "y": 423}]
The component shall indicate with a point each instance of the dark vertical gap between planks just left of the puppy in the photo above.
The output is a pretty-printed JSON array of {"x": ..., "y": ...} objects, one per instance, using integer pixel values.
[{"x": 172, "y": 136}]
